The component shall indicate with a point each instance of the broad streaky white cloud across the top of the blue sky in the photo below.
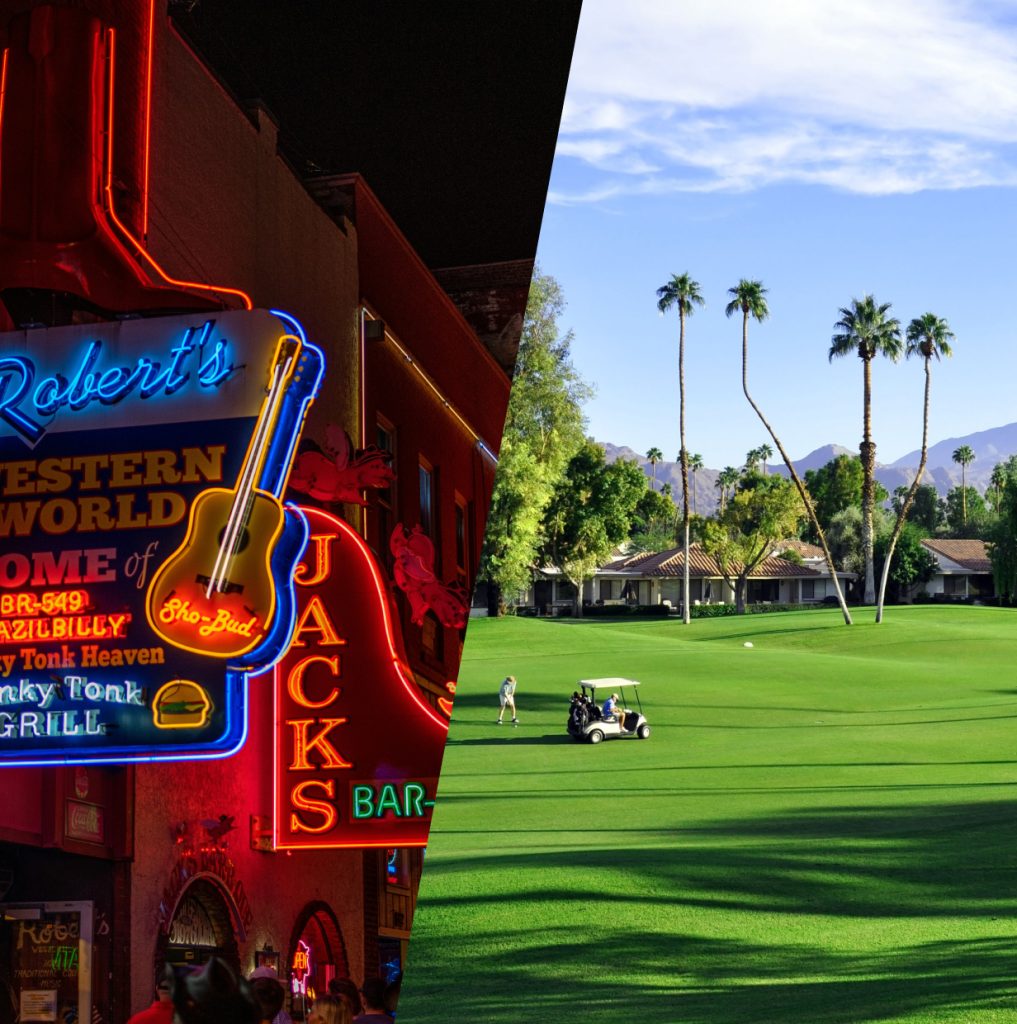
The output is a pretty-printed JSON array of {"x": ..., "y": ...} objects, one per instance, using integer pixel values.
[{"x": 859, "y": 95}]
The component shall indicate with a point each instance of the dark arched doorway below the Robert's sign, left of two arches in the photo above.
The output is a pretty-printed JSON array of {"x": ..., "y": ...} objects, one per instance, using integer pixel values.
[{"x": 204, "y": 924}]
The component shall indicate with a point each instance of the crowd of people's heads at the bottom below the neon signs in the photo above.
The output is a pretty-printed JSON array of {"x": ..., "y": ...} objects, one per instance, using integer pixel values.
[{"x": 215, "y": 995}]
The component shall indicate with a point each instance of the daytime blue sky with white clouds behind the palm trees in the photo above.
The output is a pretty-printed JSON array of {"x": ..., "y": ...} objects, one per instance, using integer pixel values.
[{"x": 828, "y": 149}]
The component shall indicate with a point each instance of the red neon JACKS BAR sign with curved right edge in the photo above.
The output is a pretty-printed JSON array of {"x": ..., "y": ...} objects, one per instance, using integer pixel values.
[{"x": 359, "y": 750}]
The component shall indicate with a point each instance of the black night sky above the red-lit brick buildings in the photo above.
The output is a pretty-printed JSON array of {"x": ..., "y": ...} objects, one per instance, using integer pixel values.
[{"x": 449, "y": 108}]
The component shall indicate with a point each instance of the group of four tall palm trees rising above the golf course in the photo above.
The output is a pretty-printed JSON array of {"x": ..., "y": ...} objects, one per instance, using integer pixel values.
[{"x": 865, "y": 329}]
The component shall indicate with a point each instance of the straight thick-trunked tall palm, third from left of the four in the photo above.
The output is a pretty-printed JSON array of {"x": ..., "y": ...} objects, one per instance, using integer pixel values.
[{"x": 868, "y": 331}]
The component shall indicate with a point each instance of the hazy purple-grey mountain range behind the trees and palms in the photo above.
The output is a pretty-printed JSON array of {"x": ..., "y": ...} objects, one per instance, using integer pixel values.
[{"x": 991, "y": 447}]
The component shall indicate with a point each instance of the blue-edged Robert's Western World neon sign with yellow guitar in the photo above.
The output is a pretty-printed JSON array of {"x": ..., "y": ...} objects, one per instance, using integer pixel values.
[{"x": 100, "y": 661}]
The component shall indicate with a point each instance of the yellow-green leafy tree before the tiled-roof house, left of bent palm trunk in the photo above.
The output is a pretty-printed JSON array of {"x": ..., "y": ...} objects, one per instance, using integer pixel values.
[{"x": 757, "y": 518}]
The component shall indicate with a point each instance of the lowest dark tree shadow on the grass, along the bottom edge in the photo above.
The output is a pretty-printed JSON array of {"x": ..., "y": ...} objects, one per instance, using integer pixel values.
[{"x": 704, "y": 982}]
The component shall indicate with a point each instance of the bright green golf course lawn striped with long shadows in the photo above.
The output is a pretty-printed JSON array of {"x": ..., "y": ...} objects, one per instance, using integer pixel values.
[{"x": 822, "y": 829}]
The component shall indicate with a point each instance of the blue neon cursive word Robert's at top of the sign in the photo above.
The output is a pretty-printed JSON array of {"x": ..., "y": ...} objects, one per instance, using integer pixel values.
[{"x": 25, "y": 406}]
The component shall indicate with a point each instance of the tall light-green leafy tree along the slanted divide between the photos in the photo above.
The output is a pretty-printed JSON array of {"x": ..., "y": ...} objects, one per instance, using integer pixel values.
[{"x": 543, "y": 431}]
